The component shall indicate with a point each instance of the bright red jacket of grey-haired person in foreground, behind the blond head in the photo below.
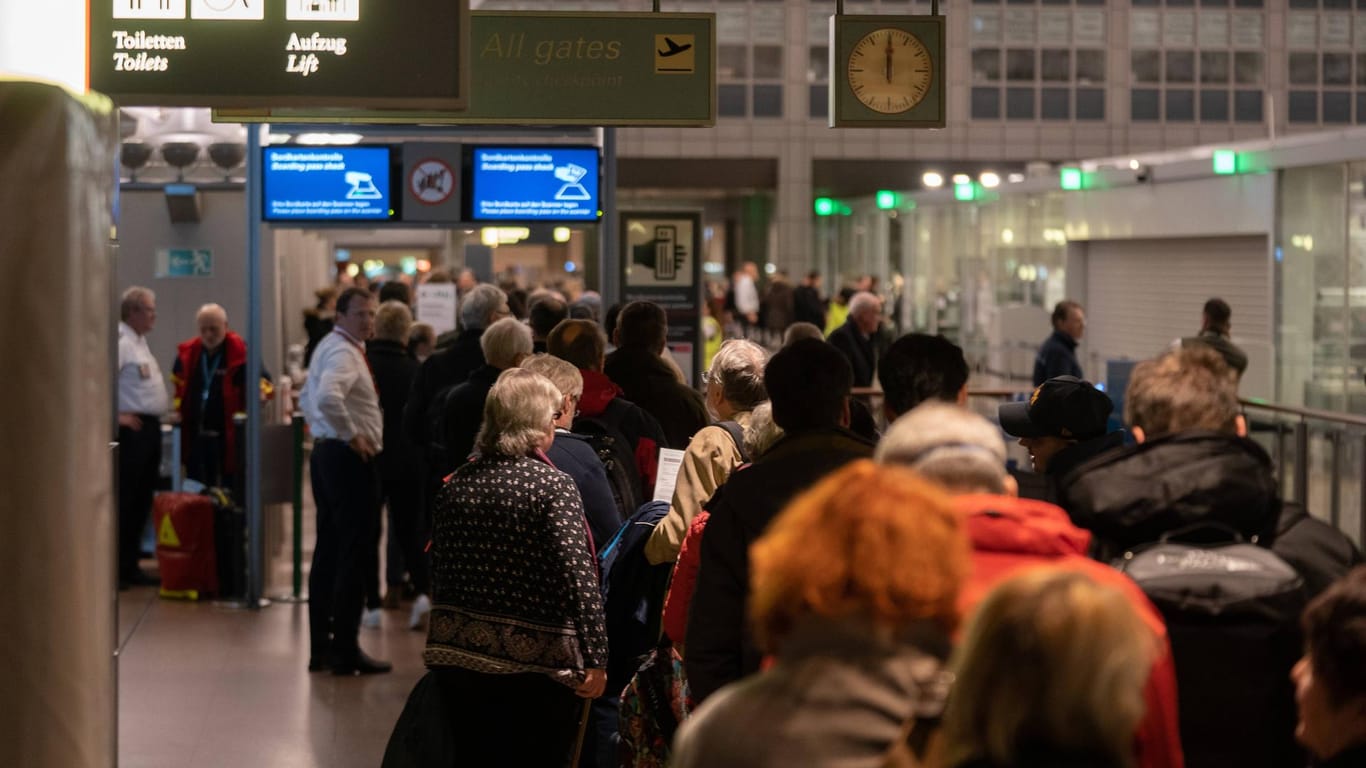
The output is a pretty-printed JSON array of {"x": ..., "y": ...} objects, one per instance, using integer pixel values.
[{"x": 1010, "y": 535}]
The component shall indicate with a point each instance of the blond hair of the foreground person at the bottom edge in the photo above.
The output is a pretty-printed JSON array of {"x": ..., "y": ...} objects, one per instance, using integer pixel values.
[{"x": 1050, "y": 674}]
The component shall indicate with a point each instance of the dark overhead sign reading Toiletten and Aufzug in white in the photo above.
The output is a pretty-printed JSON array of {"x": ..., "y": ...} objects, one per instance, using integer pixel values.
[{"x": 352, "y": 54}]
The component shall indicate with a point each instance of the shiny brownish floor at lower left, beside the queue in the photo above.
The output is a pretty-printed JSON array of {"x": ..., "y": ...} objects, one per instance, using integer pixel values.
[{"x": 208, "y": 687}]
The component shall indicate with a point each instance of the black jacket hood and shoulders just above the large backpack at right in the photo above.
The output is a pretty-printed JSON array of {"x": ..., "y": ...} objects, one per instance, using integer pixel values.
[{"x": 1137, "y": 495}]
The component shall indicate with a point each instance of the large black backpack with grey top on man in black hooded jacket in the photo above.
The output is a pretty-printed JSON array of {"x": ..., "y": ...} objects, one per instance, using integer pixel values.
[{"x": 1233, "y": 617}]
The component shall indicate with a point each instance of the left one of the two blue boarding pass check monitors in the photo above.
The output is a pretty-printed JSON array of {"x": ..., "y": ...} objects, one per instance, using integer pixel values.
[{"x": 329, "y": 184}]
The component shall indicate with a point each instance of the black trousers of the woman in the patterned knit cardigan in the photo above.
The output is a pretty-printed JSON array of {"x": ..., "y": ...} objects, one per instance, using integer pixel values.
[{"x": 491, "y": 715}]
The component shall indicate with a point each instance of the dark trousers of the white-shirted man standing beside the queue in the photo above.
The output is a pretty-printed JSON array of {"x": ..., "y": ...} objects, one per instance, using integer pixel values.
[{"x": 346, "y": 494}]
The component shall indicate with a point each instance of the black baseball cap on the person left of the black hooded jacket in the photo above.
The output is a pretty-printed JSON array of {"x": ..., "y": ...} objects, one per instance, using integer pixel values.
[{"x": 1061, "y": 408}]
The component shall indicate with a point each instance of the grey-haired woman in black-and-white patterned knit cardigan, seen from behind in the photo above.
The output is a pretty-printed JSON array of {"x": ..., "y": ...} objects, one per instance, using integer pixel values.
[{"x": 517, "y": 618}]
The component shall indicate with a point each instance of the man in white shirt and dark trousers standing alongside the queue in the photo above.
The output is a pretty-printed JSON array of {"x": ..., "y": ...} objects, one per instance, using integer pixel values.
[{"x": 342, "y": 408}]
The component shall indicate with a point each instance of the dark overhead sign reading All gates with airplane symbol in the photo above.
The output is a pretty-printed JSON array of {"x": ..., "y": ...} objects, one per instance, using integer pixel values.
[{"x": 565, "y": 69}]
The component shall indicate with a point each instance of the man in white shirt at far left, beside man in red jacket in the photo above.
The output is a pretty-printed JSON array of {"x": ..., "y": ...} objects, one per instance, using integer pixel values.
[{"x": 143, "y": 401}]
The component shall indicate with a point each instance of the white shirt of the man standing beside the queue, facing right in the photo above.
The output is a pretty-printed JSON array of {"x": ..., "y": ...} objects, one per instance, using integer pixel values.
[{"x": 338, "y": 398}]
